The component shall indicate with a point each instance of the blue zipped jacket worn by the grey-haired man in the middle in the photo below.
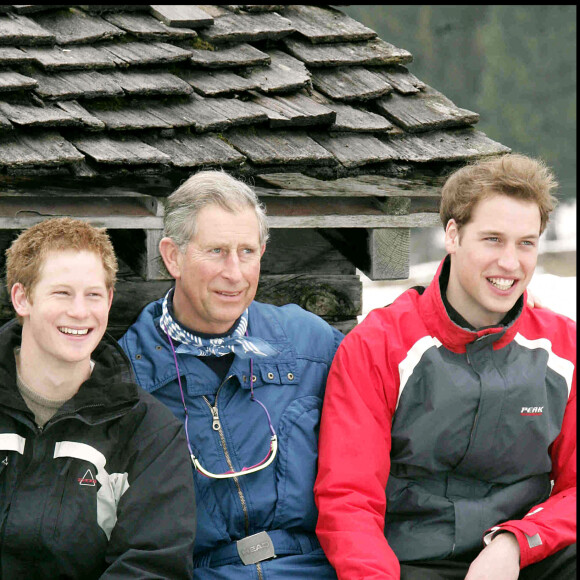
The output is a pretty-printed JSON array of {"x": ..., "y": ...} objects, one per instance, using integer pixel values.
[{"x": 229, "y": 431}]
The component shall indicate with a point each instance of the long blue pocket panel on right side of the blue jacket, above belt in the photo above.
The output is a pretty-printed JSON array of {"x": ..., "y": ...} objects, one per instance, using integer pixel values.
[{"x": 297, "y": 464}]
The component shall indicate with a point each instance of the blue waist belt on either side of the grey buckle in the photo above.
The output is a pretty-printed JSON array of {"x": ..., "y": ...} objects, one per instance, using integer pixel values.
[{"x": 285, "y": 543}]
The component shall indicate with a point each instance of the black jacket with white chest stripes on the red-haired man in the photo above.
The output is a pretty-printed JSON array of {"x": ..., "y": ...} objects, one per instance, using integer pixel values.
[{"x": 104, "y": 490}]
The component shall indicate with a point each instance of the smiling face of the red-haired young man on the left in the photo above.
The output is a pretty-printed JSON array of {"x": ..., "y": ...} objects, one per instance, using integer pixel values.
[{"x": 66, "y": 314}]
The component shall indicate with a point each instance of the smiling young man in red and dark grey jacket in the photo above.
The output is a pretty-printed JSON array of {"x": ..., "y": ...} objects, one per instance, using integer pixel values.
[{"x": 448, "y": 435}]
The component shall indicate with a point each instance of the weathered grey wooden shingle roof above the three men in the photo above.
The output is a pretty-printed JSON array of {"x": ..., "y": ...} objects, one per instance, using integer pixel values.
[{"x": 277, "y": 85}]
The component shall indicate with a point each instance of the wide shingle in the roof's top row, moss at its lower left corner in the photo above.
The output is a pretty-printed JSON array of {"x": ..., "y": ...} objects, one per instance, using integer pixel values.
[{"x": 232, "y": 28}]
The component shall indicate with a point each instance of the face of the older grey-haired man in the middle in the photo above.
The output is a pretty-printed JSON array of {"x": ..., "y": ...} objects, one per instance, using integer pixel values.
[{"x": 216, "y": 277}]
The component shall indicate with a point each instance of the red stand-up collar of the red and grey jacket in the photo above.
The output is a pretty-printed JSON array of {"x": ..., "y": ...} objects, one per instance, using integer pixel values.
[{"x": 451, "y": 334}]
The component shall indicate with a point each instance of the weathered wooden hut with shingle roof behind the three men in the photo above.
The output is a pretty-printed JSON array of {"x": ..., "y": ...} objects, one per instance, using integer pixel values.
[{"x": 105, "y": 110}]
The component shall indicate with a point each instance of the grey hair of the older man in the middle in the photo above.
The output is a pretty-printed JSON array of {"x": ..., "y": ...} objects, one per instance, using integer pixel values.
[{"x": 203, "y": 189}]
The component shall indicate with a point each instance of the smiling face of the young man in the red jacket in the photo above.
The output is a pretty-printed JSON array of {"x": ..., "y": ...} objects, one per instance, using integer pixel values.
[{"x": 493, "y": 258}]
